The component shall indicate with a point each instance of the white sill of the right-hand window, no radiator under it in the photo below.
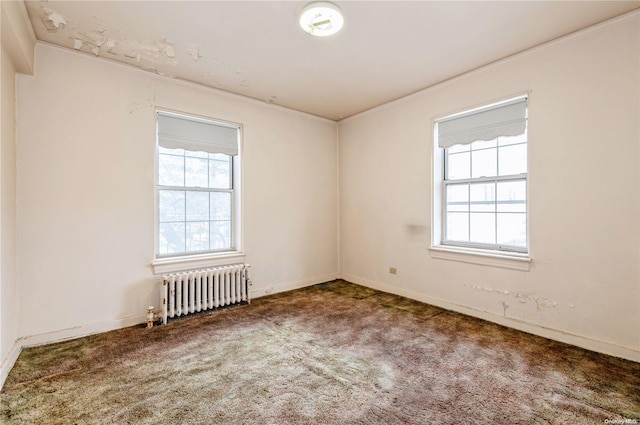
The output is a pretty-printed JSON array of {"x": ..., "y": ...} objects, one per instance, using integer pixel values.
[{"x": 514, "y": 261}]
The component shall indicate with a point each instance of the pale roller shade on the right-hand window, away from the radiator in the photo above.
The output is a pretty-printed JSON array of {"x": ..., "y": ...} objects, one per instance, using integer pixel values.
[{"x": 506, "y": 119}]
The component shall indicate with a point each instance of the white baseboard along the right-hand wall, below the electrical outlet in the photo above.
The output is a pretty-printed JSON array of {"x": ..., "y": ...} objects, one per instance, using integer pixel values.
[{"x": 521, "y": 325}]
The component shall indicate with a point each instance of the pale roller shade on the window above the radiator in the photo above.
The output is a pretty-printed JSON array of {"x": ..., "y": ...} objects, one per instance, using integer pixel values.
[{"x": 175, "y": 132}]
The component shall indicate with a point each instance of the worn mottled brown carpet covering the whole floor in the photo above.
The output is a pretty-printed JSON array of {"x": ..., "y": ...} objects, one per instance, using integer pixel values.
[{"x": 334, "y": 353}]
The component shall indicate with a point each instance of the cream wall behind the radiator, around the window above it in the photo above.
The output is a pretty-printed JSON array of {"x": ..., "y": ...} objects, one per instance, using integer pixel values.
[{"x": 86, "y": 143}]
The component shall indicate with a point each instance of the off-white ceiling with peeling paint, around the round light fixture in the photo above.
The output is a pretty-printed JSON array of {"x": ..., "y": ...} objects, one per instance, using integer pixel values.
[{"x": 386, "y": 50}]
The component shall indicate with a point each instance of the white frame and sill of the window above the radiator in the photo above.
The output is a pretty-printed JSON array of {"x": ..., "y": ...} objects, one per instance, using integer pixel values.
[{"x": 166, "y": 263}]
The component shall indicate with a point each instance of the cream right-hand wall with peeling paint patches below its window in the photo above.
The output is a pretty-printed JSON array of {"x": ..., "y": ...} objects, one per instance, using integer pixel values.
[{"x": 584, "y": 193}]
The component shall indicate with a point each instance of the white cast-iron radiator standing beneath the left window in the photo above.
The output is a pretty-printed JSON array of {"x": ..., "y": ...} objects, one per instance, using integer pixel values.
[{"x": 198, "y": 290}]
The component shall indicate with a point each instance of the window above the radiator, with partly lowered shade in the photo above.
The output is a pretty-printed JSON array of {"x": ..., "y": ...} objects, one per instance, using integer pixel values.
[{"x": 196, "y": 186}]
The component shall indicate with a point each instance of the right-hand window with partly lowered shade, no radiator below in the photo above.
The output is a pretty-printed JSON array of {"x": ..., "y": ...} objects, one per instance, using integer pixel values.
[{"x": 483, "y": 178}]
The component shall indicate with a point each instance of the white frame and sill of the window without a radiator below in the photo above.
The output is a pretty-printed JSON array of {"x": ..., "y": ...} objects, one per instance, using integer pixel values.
[{"x": 475, "y": 253}]
